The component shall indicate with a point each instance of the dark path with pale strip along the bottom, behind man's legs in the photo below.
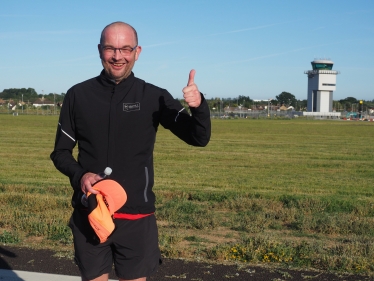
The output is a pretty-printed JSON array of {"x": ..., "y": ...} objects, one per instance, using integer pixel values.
[{"x": 23, "y": 264}]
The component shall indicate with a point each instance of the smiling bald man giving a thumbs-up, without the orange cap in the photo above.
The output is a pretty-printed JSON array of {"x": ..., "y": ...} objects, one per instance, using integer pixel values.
[{"x": 114, "y": 119}]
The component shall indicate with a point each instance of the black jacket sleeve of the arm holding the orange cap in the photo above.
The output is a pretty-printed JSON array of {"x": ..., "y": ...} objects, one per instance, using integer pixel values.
[{"x": 62, "y": 156}]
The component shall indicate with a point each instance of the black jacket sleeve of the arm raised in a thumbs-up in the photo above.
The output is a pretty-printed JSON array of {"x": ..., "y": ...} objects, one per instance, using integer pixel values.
[{"x": 194, "y": 129}]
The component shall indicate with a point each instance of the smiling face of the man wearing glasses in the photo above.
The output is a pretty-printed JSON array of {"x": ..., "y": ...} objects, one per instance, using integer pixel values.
[{"x": 117, "y": 65}]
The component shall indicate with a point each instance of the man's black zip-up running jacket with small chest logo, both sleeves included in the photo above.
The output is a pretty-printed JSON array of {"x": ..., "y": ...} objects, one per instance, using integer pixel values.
[{"x": 115, "y": 126}]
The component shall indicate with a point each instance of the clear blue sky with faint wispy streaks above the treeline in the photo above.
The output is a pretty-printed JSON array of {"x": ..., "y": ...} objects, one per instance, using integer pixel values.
[{"x": 249, "y": 48}]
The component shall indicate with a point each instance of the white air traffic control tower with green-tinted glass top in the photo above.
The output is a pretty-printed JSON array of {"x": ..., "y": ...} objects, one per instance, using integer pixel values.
[{"x": 321, "y": 84}]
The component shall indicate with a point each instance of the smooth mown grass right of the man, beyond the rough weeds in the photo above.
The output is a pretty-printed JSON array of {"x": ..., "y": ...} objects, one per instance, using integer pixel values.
[{"x": 301, "y": 157}]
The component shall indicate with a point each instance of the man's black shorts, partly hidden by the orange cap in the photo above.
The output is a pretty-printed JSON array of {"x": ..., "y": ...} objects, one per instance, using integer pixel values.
[{"x": 132, "y": 247}]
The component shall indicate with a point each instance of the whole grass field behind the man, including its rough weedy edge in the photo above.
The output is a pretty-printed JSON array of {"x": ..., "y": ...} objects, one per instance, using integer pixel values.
[{"x": 295, "y": 193}]
